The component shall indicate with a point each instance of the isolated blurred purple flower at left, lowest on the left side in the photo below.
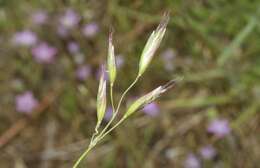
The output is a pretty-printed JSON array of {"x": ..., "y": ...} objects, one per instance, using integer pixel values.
[{"x": 26, "y": 103}]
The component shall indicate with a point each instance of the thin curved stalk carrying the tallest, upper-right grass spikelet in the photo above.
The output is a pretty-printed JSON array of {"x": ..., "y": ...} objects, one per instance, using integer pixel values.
[{"x": 118, "y": 106}]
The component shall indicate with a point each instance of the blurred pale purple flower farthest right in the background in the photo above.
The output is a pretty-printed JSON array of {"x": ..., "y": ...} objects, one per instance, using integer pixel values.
[{"x": 219, "y": 127}]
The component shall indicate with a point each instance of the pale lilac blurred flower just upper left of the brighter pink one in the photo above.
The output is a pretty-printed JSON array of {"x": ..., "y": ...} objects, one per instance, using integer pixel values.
[{"x": 25, "y": 38}]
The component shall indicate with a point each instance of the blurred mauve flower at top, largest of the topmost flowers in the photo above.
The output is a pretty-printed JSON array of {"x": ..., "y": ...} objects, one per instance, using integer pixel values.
[{"x": 70, "y": 19}]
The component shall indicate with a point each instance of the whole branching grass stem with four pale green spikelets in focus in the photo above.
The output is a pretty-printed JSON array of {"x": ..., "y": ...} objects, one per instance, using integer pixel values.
[{"x": 146, "y": 57}]
